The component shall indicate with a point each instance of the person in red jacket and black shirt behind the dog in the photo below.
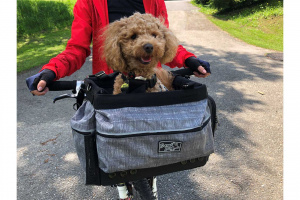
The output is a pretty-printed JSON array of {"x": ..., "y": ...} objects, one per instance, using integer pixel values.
[{"x": 90, "y": 17}]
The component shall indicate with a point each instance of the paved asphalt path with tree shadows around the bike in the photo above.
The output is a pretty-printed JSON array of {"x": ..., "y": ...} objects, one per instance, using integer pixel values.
[{"x": 247, "y": 164}]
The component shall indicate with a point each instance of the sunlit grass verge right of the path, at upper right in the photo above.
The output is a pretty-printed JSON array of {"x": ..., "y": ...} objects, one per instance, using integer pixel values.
[{"x": 260, "y": 25}]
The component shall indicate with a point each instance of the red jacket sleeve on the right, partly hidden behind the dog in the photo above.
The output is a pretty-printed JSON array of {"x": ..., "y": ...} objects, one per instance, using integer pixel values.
[{"x": 182, "y": 53}]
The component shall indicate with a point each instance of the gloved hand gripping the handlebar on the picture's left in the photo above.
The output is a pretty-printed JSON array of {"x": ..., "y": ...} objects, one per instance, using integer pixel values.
[{"x": 37, "y": 83}]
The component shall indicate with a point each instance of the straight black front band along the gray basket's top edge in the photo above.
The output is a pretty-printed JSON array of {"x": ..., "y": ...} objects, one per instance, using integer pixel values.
[{"x": 106, "y": 101}]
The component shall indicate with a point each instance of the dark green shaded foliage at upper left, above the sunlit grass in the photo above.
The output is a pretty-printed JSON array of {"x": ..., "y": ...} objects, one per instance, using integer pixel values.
[{"x": 34, "y": 16}]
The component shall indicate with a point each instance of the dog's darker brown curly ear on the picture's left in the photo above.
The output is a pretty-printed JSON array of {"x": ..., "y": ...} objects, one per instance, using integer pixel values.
[{"x": 112, "y": 52}]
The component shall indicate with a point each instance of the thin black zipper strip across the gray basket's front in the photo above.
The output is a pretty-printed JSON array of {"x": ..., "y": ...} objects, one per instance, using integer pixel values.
[{"x": 156, "y": 133}]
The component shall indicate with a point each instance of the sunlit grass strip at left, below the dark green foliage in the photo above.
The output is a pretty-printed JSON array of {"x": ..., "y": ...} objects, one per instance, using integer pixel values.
[{"x": 39, "y": 49}]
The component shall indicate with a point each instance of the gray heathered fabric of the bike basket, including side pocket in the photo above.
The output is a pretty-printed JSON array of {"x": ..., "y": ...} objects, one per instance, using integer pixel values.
[{"x": 144, "y": 137}]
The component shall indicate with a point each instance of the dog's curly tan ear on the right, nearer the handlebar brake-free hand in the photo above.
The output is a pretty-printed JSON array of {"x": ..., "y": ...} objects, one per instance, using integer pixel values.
[{"x": 171, "y": 44}]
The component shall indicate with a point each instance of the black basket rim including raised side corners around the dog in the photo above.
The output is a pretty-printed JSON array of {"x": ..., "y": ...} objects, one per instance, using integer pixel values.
[{"x": 99, "y": 93}]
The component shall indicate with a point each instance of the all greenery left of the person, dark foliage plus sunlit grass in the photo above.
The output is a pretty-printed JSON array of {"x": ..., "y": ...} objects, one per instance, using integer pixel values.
[{"x": 42, "y": 30}]
